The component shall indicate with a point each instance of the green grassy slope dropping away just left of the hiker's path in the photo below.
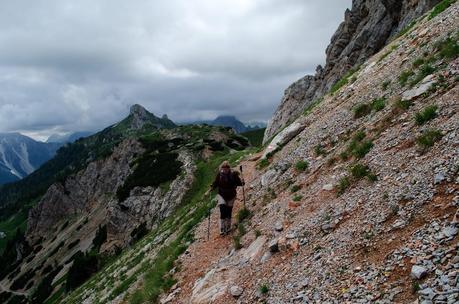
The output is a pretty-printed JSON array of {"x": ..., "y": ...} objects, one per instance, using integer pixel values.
[{"x": 174, "y": 234}]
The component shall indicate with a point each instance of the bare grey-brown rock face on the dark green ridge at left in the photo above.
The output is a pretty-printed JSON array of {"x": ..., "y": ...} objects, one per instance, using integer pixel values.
[{"x": 81, "y": 193}]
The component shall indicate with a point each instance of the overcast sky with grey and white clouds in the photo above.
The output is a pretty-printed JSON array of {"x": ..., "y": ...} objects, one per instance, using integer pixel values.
[{"x": 78, "y": 65}]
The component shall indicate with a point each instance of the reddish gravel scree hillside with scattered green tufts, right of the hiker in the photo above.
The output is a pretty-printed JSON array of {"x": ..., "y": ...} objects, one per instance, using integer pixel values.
[{"x": 357, "y": 200}]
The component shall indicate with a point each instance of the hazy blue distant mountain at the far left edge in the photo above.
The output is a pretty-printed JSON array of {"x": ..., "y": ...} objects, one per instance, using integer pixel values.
[{"x": 21, "y": 155}]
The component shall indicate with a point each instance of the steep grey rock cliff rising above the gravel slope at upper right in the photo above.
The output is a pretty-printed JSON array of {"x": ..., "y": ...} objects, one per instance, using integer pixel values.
[{"x": 366, "y": 28}]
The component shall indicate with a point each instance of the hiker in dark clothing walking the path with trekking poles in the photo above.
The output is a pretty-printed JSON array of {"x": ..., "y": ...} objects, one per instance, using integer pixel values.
[{"x": 226, "y": 182}]
